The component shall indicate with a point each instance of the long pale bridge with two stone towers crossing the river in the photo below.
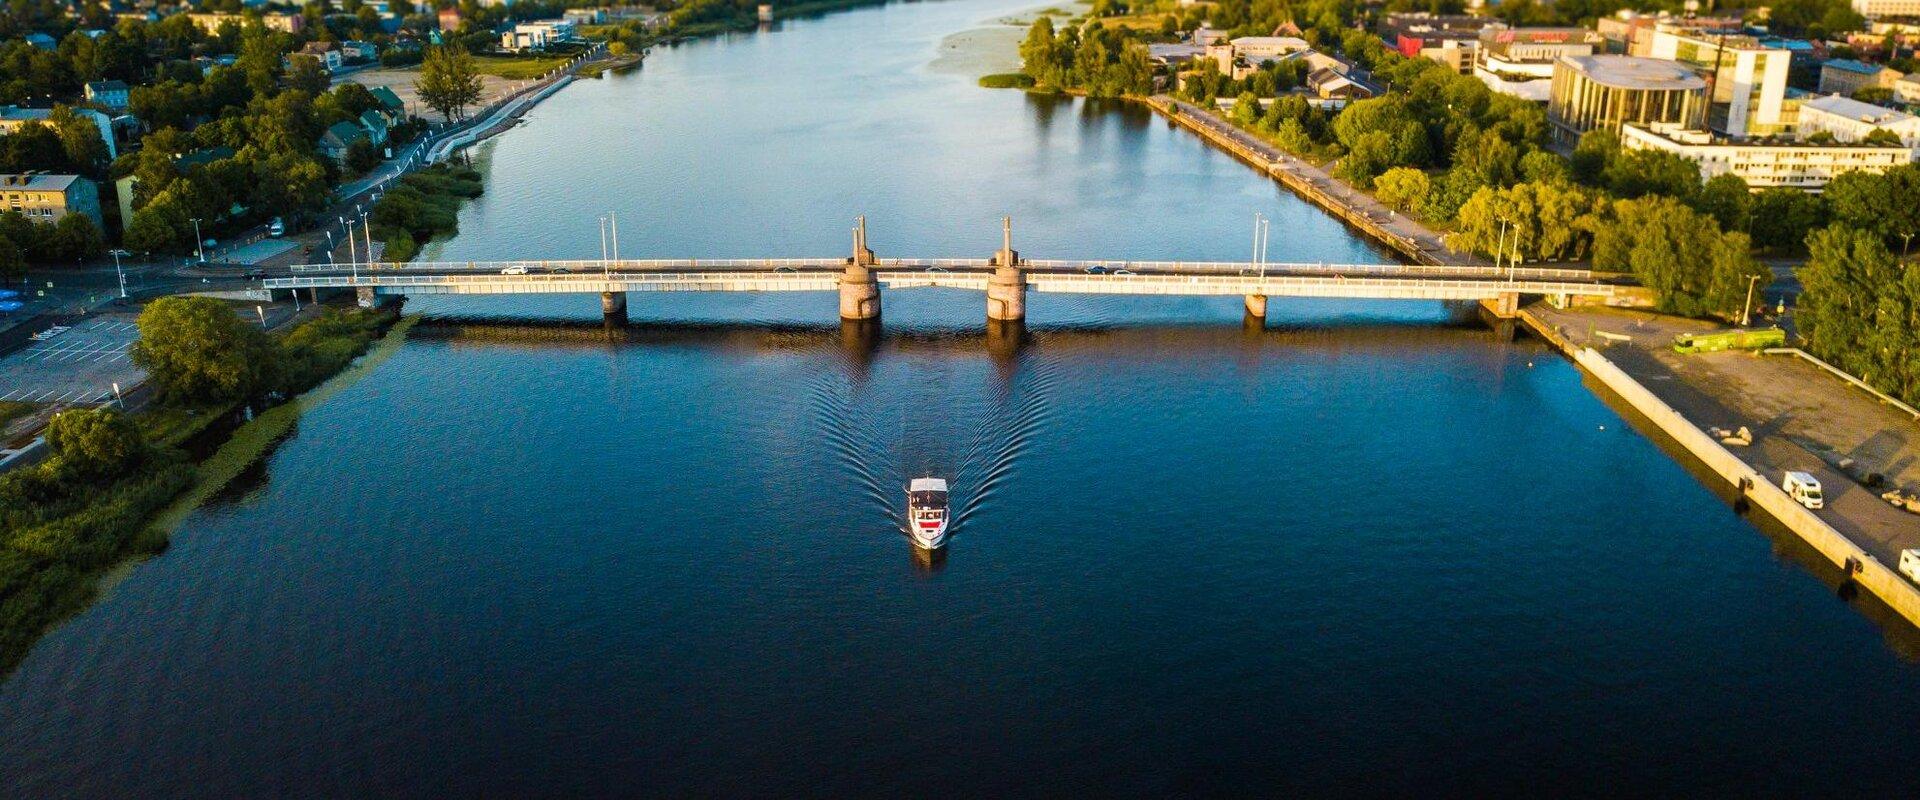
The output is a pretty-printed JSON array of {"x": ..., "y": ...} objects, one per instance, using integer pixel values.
[{"x": 1005, "y": 279}]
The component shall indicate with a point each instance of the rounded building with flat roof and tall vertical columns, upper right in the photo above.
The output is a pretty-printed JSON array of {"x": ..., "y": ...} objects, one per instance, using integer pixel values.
[{"x": 1608, "y": 91}]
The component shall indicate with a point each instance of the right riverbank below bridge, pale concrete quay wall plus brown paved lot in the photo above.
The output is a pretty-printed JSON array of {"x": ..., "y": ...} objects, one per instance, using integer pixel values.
[{"x": 1800, "y": 415}]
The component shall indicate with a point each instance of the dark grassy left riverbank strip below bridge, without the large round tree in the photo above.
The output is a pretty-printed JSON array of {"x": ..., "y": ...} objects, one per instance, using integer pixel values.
[{"x": 60, "y": 536}]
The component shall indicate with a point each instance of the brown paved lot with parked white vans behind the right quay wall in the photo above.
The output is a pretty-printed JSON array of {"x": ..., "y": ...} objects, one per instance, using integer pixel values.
[{"x": 1800, "y": 415}]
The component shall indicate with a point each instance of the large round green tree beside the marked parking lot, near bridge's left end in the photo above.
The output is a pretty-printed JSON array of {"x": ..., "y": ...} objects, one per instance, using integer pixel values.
[{"x": 199, "y": 350}]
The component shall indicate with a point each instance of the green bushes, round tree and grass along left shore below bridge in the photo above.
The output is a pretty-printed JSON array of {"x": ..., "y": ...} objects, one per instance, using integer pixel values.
[{"x": 99, "y": 500}]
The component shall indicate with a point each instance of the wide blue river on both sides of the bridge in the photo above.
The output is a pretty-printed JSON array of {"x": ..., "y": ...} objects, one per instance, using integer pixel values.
[{"x": 1368, "y": 550}]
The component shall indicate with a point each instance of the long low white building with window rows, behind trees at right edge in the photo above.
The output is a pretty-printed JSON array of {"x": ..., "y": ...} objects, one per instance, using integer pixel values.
[{"x": 1765, "y": 164}]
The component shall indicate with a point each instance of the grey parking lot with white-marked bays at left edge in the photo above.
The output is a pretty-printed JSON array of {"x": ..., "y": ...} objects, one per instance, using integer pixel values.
[{"x": 74, "y": 367}]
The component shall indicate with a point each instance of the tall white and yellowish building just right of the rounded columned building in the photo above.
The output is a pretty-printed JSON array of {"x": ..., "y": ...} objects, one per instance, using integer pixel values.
[{"x": 1746, "y": 80}]
